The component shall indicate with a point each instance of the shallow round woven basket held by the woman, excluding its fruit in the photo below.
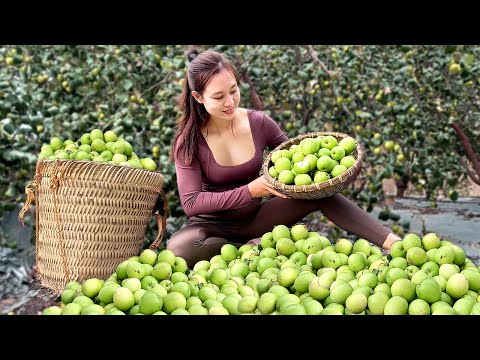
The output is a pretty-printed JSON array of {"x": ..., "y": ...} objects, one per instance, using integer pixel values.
[{"x": 318, "y": 190}]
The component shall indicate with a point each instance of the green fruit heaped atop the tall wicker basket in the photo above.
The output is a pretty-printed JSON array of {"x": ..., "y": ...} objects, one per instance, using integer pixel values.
[{"x": 96, "y": 146}]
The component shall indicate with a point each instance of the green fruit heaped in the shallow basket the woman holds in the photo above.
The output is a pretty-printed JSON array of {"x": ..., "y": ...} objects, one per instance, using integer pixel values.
[{"x": 313, "y": 160}]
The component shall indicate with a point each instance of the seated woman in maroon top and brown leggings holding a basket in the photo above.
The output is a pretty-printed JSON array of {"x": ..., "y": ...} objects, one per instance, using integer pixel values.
[{"x": 218, "y": 153}]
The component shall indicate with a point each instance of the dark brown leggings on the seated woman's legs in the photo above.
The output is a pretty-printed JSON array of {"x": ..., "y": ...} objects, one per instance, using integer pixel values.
[{"x": 202, "y": 240}]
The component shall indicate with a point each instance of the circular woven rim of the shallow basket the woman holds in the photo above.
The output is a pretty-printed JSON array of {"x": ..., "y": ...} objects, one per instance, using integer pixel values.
[{"x": 316, "y": 187}]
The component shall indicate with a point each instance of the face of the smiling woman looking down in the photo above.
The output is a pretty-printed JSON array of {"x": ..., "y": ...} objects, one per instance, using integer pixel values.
[{"x": 221, "y": 96}]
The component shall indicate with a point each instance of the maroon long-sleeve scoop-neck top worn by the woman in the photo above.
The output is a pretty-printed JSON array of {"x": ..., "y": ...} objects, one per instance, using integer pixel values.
[{"x": 209, "y": 189}]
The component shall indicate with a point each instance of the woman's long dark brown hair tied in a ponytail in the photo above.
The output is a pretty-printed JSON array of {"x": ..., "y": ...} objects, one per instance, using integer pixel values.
[{"x": 194, "y": 117}]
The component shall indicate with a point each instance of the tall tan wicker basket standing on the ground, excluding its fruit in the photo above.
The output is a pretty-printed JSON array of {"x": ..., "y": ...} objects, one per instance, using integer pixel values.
[{"x": 90, "y": 216}]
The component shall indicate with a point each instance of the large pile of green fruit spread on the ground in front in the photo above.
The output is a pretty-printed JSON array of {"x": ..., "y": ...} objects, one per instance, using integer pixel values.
[{"x": 292, "y": 271}]
